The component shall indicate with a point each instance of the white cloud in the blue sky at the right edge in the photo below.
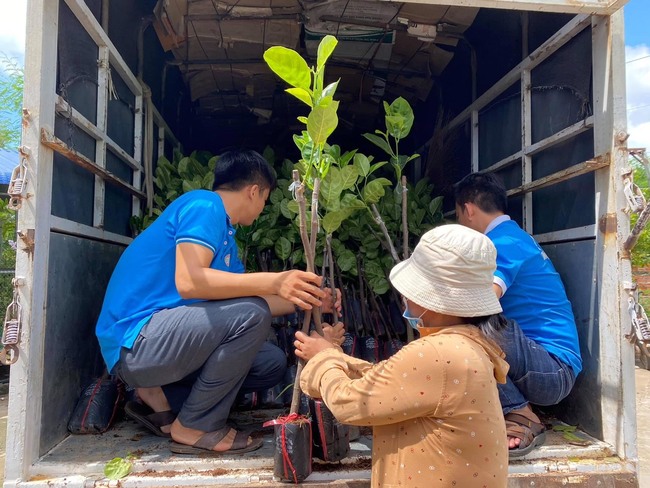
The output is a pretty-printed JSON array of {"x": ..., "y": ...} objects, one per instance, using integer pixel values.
[{"x": 638, "y": 95}]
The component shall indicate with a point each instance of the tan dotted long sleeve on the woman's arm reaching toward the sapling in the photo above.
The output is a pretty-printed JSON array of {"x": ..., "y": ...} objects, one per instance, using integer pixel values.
[{"x": 404, "y": 386}]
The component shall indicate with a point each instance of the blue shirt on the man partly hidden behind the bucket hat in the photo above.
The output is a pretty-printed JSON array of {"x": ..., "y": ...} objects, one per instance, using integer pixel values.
[{"x": 534, "y": 295}]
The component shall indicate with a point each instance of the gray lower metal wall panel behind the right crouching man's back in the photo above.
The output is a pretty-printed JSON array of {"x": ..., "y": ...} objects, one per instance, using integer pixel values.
[{"x": 575, "y": 261}]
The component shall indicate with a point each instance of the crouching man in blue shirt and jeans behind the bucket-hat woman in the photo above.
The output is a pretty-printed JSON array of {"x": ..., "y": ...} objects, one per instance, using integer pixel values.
[{"x": 541, "y": 340}]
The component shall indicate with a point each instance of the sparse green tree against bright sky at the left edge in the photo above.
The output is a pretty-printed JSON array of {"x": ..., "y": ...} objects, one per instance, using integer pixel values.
[{"x": 11, "y": 101}]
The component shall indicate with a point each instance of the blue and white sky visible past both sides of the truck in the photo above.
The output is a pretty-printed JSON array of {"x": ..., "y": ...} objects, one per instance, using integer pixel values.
[{"x": 637, "y": 49}]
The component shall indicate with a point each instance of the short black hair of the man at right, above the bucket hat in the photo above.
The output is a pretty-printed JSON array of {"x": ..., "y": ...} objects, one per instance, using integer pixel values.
[{"x": 485, "y": 190}]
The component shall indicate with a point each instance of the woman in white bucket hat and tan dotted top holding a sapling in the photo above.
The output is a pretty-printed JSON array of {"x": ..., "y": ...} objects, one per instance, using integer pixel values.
[{"x": 434, "y": 405}]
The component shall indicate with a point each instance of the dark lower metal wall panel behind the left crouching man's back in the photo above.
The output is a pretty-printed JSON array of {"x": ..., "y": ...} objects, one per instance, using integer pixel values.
[{"x": 78, "y": 273}]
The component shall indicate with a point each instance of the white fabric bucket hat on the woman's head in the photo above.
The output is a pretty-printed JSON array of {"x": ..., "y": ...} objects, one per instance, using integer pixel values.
[{"x": 450, "y": 272}]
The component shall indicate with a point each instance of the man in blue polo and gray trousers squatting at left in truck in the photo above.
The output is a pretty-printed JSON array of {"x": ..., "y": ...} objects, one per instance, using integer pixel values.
[{"x": 180, "y": 310}]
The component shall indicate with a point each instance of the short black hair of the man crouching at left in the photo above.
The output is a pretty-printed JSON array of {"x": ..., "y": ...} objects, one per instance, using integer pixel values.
[{"x": 236, "y": 169}]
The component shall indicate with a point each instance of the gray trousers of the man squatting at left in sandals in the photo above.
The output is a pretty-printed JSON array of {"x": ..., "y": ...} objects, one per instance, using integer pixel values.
[{"x": 210, "y": 348}]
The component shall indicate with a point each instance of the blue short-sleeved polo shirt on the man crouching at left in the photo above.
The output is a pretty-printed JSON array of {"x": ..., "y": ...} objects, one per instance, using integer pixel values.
[{"x": 143, "y": 281}]
